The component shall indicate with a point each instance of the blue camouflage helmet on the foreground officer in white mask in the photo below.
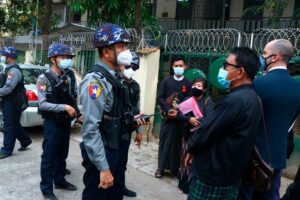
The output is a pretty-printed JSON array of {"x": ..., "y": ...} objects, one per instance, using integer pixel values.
[{"x": 110, "y": 34}]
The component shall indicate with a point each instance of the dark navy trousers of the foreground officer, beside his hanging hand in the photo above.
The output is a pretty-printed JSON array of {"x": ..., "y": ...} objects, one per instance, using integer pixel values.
[{"x": 91, "y": 177}]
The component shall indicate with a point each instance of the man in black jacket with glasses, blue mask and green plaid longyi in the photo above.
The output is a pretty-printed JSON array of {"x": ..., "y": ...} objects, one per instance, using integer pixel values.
[{"x": 220, "y": 149}]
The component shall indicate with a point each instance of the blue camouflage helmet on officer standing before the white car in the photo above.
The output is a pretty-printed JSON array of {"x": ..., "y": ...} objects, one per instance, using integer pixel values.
[{"x": 60, "y": 49}]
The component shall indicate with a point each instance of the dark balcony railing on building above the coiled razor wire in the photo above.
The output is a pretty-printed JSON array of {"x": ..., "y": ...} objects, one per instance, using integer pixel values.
[{"x": 239, "y": 24}]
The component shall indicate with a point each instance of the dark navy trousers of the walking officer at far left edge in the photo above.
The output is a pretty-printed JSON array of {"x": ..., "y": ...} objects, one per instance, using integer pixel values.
[{"x": 12, "y": 128}]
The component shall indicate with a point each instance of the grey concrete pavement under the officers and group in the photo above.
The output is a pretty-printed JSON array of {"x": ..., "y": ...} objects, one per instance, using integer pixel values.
[{"x": 20, "y": 173}]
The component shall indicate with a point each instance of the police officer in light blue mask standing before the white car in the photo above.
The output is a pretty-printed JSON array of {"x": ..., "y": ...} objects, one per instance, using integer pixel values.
[{"x": 57, "y": 107}]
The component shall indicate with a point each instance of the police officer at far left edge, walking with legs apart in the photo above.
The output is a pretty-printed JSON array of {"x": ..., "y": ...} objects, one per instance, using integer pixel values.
[{"x": 9, "y": 92}]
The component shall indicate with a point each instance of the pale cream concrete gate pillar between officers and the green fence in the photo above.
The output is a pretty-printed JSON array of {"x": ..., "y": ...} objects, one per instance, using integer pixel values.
[{"x": 147, "y": 77}]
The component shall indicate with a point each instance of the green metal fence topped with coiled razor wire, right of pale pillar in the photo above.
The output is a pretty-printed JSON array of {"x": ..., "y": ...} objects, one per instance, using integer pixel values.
[{"x": 201, "y": 48}]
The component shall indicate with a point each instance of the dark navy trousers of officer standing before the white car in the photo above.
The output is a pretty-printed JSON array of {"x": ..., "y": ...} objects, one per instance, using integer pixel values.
[{"x": 55, "y": 152}]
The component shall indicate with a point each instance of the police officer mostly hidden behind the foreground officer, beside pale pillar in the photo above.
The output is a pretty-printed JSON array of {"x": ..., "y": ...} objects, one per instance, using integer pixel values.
[{"x": 132, "y": 107}]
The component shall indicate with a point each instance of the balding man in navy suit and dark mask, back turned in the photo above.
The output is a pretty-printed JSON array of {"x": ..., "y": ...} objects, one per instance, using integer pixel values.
[{"x": 280, "y": 97}]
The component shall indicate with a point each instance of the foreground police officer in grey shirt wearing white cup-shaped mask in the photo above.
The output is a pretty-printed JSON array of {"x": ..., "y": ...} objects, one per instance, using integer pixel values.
[{"x": 102, "y": 101}]
